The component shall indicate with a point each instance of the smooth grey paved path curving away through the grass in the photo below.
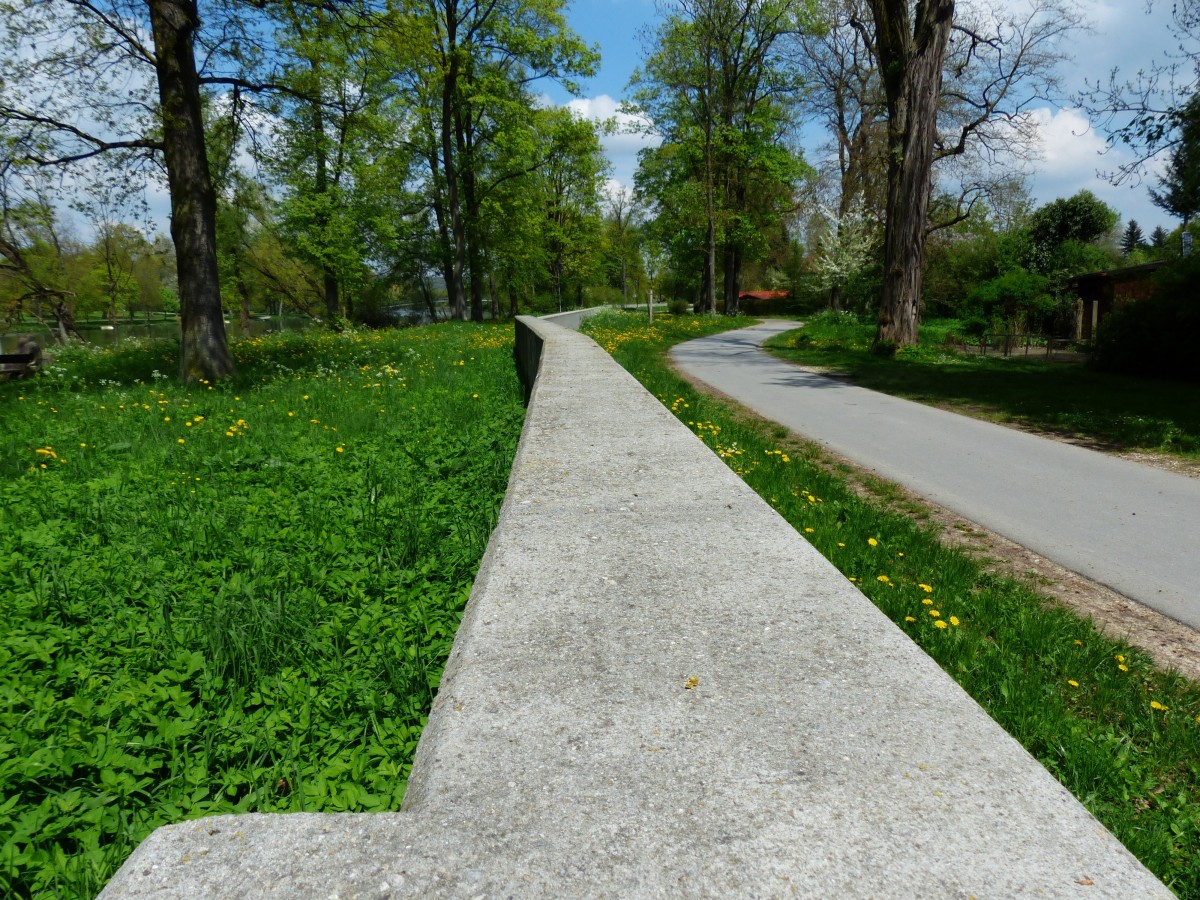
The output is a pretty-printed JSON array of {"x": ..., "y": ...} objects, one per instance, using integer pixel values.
[{"x": 1131, "y": 527}]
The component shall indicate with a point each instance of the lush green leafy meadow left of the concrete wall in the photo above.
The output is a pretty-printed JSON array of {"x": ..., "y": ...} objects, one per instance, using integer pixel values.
[{"x": 233, "y": 598}]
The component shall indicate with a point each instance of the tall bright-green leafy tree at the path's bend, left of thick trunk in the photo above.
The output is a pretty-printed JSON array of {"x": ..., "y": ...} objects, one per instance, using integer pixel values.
[{"x": 717, "y": 89}]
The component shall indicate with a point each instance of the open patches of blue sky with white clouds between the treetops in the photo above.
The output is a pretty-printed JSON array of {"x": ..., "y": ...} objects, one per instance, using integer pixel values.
[{"x": 1124, "y": 34}]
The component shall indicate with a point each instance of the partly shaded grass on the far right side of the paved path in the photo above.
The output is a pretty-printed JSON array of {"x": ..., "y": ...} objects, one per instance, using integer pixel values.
[{"x": 1063, "y": 398}]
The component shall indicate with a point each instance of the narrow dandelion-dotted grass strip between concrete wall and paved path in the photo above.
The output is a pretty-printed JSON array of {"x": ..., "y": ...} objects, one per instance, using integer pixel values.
[{"x": 1121, "y": 736}]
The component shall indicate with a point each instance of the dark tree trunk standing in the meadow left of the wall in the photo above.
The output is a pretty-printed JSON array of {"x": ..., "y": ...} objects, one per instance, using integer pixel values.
[{"x": 205, "y": 351}]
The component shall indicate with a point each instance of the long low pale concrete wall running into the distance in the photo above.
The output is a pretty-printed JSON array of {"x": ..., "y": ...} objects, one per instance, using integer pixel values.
[{"x": 661, "y": 689}]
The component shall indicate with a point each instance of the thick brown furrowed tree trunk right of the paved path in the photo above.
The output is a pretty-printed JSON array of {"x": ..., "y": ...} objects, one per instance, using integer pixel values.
[{"x": 910, "y": 56}]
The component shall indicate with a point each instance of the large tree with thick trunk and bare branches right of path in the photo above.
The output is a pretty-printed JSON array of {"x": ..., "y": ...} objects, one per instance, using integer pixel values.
[{"x": 945, "y": 101}]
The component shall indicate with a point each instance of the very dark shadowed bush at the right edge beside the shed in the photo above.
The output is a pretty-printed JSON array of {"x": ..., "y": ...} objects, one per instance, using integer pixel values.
[{"x": 1156, "y": 337}]
